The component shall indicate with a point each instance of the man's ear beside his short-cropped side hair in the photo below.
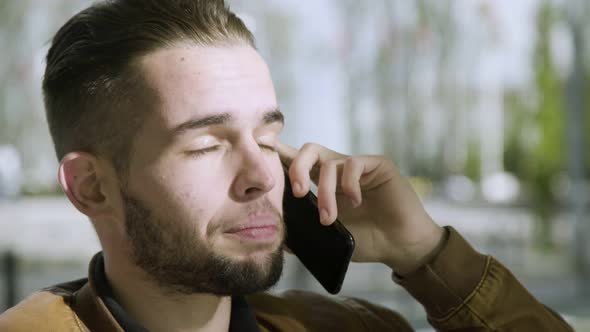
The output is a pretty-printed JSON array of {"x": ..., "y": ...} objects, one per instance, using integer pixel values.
[{"x": 80, "y": 178}]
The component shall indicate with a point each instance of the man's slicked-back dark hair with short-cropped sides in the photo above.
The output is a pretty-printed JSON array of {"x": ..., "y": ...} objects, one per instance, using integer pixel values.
[{"x": 95, "y": 96}]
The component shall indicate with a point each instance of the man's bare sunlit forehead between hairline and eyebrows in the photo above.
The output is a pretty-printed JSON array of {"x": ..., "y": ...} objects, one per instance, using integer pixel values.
[{"x": 194, "y": 80}]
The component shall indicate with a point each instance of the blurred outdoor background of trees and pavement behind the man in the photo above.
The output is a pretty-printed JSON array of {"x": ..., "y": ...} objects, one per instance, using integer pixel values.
[{"x": 483, "y": 104}]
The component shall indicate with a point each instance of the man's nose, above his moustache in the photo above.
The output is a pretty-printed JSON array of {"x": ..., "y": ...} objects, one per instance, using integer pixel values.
[{"x": 254, "y": 178}]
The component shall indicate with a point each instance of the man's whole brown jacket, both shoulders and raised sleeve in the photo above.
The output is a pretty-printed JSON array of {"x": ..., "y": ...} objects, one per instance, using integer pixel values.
[{"x": 461, "y": 290}]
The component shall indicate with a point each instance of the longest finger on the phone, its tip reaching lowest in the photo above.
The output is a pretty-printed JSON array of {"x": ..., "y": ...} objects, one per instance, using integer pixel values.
[{"x": 327, "y": 191}]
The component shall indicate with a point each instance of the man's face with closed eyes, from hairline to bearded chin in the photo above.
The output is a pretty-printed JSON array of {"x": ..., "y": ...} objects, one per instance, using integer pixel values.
[{"x": 203, "y": 196}]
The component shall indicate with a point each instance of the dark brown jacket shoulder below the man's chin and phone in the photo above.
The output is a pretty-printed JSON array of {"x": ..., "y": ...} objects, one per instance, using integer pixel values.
[{"x": 314, "y": 311}]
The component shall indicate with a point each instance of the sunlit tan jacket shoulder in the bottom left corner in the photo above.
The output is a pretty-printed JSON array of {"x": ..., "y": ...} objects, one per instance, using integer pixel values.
[{"x": 46, "y": 310}]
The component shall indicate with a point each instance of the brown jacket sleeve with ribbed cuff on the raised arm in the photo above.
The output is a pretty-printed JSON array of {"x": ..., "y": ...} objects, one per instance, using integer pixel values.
[{"x": 464, "y": 290}]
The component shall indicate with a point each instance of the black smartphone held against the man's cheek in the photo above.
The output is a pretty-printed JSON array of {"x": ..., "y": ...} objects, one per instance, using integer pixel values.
[{"x": 325, "y": 251}]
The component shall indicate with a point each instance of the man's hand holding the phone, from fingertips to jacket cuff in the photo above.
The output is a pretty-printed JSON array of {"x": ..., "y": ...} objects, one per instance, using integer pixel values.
[{"x": 371, "y": 198}]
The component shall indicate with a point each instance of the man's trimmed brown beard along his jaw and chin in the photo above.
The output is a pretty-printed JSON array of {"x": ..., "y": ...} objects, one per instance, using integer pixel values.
[{"x": 179, "y": 263}]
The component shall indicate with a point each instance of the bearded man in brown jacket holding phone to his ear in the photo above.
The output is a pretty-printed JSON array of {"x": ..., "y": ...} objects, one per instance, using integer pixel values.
[{"x": 165, "y": 120}]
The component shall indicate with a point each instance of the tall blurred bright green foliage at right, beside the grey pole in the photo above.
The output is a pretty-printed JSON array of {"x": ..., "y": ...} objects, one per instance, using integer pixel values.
[{"x": 536, "y": 156}]
